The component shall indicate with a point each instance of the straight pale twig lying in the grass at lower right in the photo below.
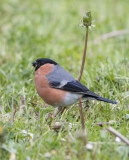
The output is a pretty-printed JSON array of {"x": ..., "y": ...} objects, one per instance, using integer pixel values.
[{"x": 117, "y": 134}]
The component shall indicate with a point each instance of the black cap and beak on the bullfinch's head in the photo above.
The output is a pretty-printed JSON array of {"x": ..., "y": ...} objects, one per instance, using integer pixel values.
[{"x": 41, "y": 61}]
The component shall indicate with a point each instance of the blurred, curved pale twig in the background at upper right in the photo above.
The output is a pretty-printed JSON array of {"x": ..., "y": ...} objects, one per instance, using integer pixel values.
[{"x": 110, "y": 35}]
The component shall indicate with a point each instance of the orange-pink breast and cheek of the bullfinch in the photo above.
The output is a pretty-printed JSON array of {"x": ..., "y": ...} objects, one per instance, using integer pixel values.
[{"x": 50, "y": 95}]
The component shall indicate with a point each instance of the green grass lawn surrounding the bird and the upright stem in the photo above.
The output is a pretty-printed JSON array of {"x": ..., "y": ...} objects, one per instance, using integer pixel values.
[{"x": 32, "y": 29}]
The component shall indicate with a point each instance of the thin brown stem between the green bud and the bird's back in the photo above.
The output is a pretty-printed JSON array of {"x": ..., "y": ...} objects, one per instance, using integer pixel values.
[{"x": 84, "y": 55}]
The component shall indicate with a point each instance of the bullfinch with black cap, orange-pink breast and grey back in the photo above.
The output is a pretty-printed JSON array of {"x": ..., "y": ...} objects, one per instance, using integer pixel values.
[{"x": 57, "y": 87}]
